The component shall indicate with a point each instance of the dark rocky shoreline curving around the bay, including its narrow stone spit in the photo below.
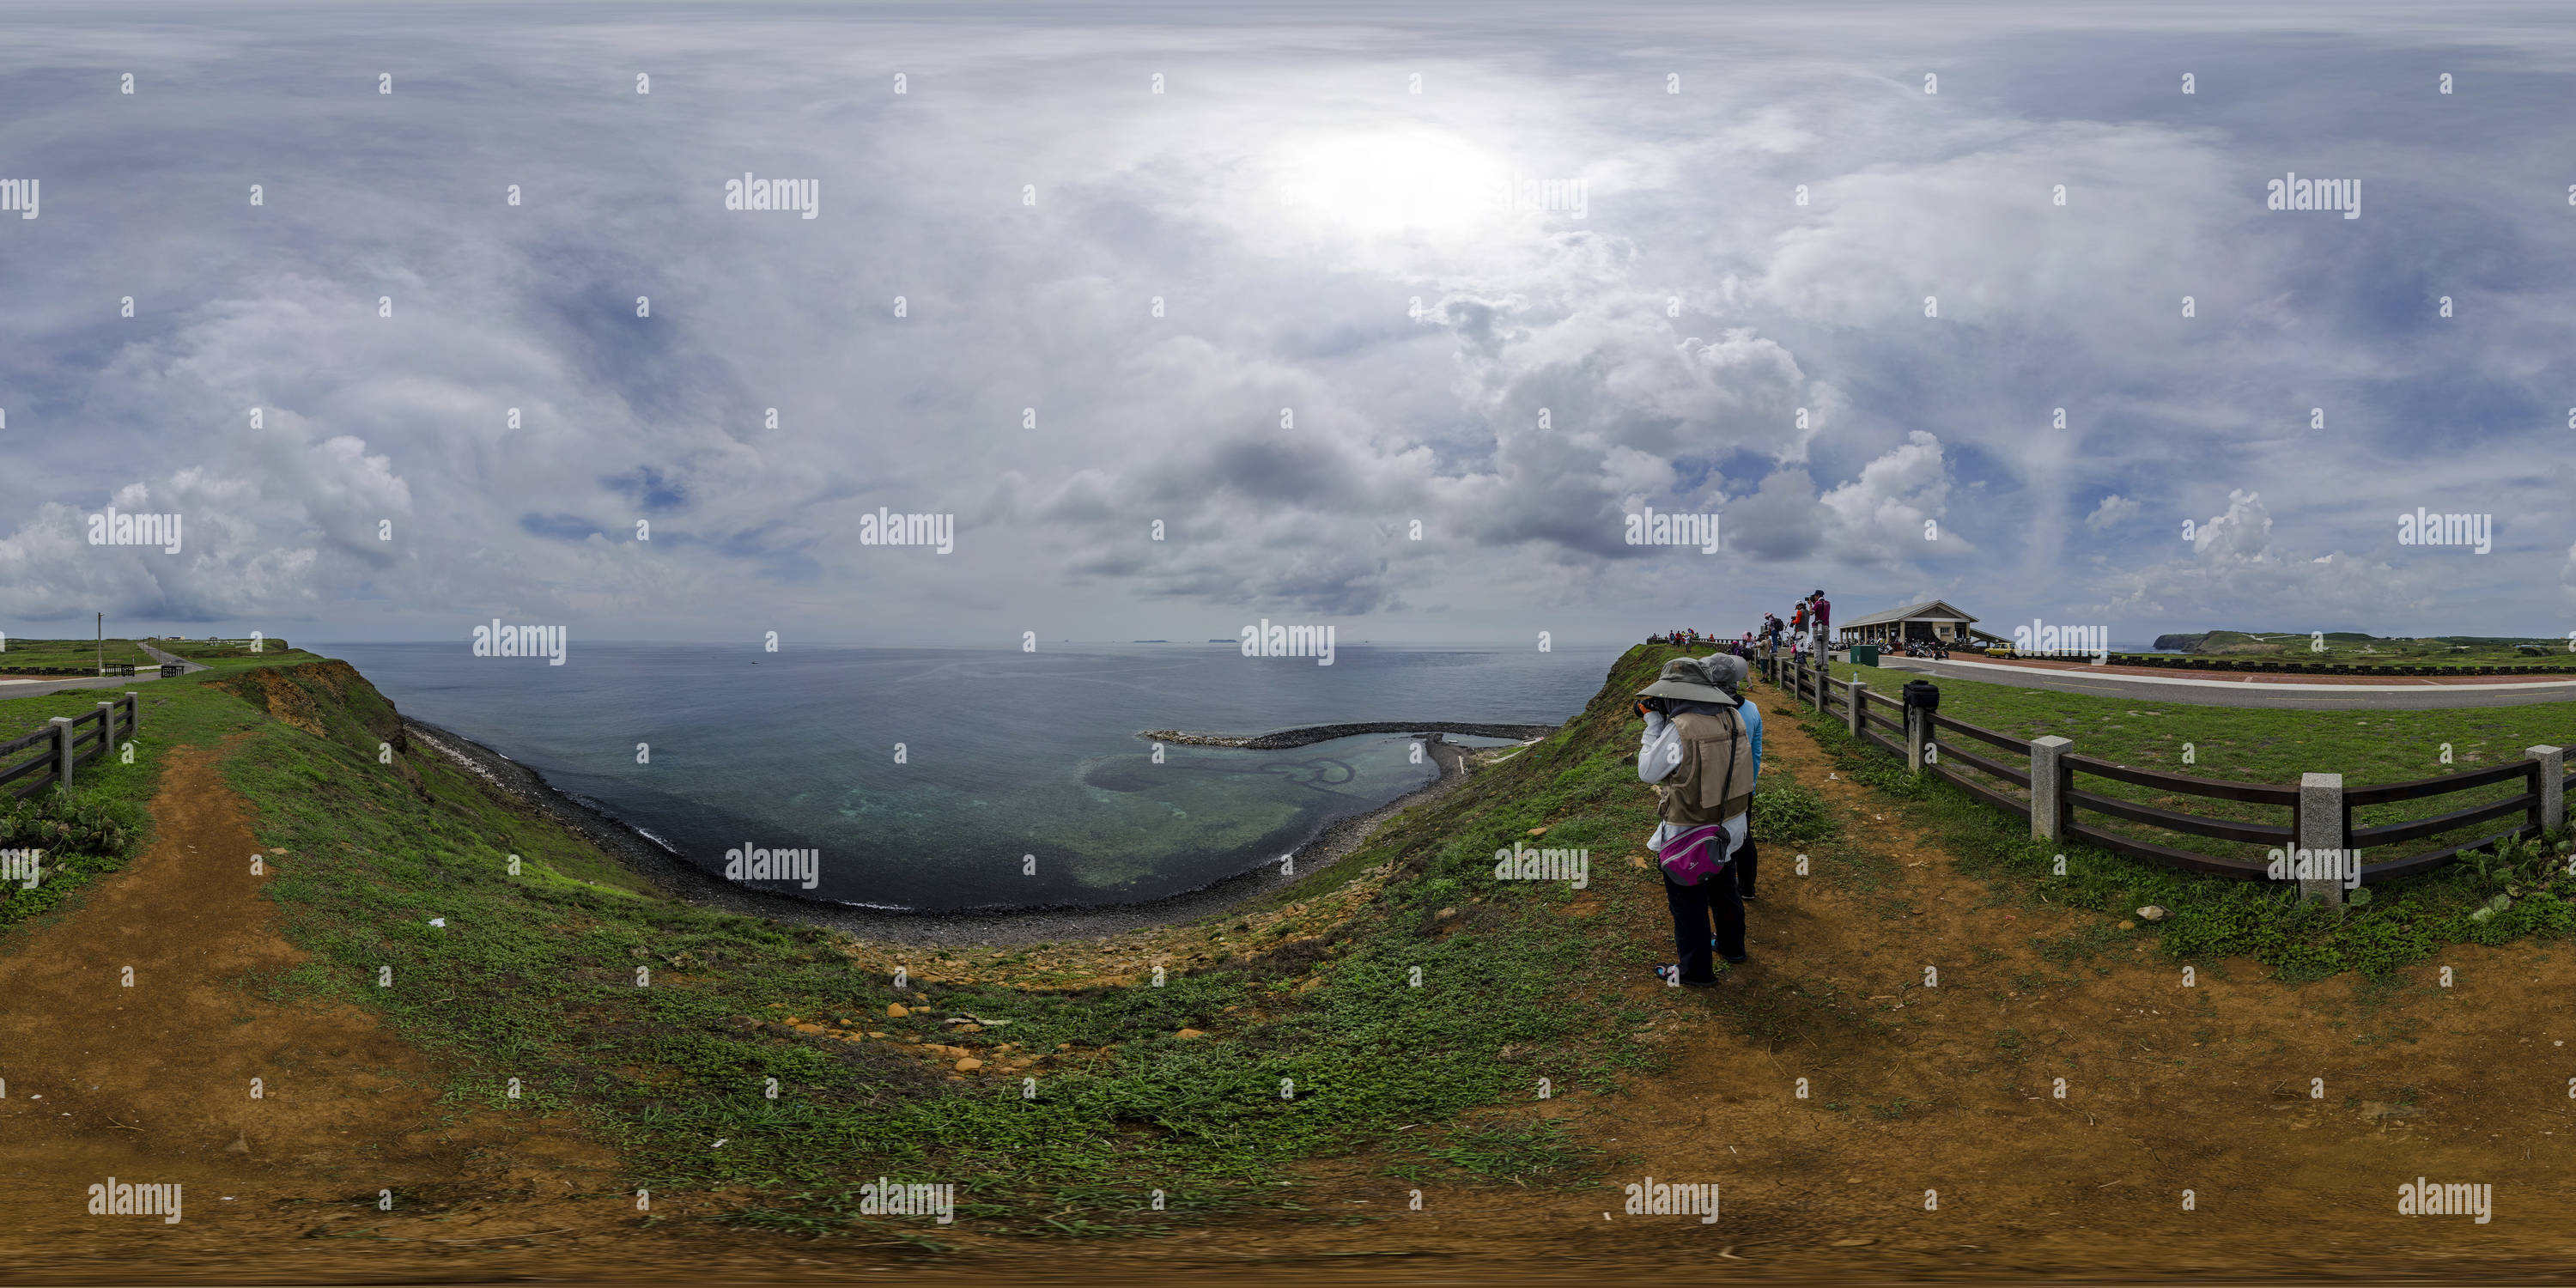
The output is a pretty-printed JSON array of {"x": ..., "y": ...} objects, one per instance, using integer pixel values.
[{"x": 1003, "y": 929}]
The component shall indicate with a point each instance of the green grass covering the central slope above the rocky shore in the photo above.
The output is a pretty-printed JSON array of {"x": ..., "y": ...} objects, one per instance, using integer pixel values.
[{"x": 535, "y": 978}]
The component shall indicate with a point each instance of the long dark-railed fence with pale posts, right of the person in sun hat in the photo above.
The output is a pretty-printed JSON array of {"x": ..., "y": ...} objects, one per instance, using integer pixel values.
[{"x": 2320, "y": 808}]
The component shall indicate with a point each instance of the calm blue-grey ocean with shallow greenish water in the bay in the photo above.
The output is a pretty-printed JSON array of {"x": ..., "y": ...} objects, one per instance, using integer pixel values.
[{"x": 972, "y": 779}]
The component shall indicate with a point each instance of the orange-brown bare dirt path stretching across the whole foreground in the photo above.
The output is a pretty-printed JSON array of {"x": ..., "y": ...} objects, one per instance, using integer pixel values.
[{"x": 1910, "y": 1088}]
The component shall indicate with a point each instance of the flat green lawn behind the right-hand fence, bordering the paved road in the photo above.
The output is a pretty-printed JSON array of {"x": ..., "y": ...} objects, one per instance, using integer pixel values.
[{"x": 2250, "y": 746}]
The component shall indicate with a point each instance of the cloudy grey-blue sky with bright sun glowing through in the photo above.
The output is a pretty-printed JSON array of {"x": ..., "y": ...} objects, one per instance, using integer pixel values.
[{"x": 1367, "y": 316}]
